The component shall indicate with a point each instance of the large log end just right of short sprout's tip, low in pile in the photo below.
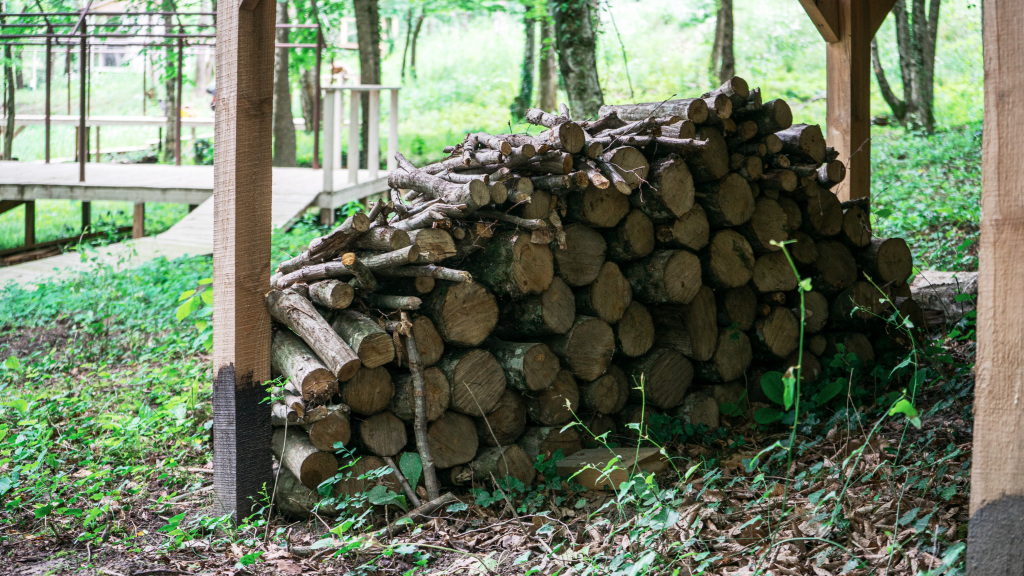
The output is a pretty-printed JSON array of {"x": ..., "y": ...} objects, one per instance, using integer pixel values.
[{"x": 664, "y": 376}]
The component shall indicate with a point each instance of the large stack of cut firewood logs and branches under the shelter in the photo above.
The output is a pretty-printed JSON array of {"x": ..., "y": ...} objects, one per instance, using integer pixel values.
[{"x": 531, "y": 280}]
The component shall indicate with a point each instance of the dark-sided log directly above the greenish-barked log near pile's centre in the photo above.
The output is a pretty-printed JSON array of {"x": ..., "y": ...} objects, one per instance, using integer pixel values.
[{"x": 550, "y": 313}]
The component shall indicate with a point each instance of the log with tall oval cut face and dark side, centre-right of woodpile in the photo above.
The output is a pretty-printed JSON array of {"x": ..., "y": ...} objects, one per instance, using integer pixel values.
[{"x": 690, "y": 330}]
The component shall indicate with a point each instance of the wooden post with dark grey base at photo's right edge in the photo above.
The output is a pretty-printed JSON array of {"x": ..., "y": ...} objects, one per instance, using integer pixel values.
[{"x": 996, "y": 542}]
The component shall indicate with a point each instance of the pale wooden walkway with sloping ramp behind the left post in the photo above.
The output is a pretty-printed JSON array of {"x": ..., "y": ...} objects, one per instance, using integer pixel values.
[{"x": 295, "y": 190}]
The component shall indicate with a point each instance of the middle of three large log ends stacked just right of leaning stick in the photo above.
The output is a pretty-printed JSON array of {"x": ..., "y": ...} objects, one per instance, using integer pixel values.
[{"x": 477, "y": 381}]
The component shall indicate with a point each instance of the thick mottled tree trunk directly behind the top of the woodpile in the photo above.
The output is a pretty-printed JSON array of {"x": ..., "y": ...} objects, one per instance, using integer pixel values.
[{"x": 577, "y": 56}]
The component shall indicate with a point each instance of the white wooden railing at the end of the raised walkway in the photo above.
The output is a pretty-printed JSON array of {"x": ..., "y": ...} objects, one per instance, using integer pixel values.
[{"x": 333, "y": 116}]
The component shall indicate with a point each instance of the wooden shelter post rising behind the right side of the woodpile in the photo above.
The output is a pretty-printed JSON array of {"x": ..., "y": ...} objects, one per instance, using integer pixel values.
[{"x": 848, "y": 64}]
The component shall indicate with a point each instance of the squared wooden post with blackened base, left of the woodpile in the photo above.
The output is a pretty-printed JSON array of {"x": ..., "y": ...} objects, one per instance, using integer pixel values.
[{"x": 242, "y": 253}]
